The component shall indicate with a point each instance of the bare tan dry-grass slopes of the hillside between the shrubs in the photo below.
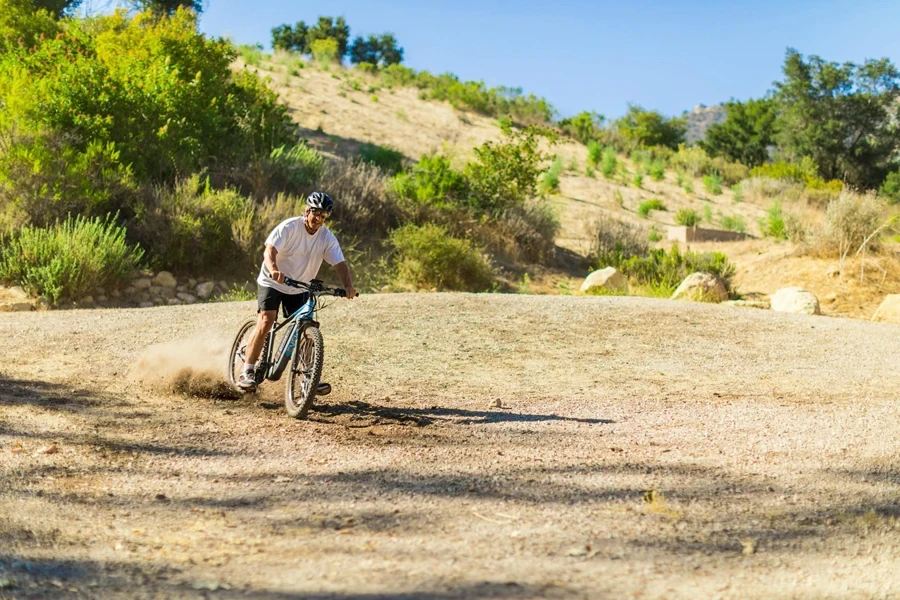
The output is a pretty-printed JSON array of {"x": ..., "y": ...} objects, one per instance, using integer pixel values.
[{"x": 339, "y": 109}]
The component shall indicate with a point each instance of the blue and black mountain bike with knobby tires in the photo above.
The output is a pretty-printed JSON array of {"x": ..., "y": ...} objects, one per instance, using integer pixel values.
[{"x": 299, "y": 344}]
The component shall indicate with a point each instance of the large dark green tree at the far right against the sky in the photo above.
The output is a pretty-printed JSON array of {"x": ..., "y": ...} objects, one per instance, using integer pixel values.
[{"x": 840, "y": 115}]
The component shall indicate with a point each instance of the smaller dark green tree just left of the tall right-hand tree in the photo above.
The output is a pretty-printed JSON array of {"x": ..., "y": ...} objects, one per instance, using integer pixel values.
[{"x": 746, "y": 134}]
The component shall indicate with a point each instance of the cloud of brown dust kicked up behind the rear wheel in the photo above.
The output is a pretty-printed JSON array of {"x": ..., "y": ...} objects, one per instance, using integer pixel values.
[{"x": 194, "y": 368}]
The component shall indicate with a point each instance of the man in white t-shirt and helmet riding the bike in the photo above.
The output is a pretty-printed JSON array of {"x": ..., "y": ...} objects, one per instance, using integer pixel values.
[{"x": 296, "y": 248}]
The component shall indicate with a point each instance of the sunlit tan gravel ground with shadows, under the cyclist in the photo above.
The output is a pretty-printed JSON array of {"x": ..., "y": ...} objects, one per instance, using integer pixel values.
[{"x": 642, "y": 448}]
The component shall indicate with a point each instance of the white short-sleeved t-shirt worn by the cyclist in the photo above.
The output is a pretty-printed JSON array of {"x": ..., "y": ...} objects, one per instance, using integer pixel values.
[{"x": 299, "y": 254}]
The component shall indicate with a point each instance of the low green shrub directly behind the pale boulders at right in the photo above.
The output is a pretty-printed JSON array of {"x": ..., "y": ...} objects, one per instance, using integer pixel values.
[{"x": 662, "y": 271}]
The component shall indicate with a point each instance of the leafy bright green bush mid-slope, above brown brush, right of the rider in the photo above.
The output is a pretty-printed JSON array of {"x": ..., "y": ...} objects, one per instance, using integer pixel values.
[{"x": 505, "y": 175}]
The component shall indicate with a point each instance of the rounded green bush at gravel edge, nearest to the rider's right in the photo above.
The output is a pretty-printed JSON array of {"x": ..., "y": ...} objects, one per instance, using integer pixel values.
[{"x": 429, "y": 257}]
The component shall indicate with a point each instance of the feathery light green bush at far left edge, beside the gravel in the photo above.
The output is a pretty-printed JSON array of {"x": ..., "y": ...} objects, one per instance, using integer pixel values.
[{"x": 70, "y": 259}]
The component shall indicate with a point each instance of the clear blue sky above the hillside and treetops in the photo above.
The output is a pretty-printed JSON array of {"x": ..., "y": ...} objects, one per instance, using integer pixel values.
[{"x": 667, "y": 56}]
